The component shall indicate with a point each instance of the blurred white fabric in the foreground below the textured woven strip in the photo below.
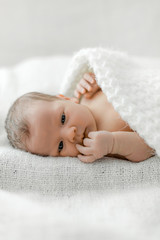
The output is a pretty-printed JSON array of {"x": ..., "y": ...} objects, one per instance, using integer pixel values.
[{"x": 128, "y": 215}]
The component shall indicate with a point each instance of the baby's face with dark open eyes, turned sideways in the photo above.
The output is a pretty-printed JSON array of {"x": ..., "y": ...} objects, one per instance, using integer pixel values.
[{"x": 56, "y": 127}]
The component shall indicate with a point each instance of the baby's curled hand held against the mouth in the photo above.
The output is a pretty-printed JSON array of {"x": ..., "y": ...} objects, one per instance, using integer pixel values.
[{"x": 97, "y": 145}]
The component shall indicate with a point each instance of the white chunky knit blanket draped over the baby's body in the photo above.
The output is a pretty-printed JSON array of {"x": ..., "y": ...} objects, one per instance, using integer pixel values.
[{"x": 131, "y": 84}]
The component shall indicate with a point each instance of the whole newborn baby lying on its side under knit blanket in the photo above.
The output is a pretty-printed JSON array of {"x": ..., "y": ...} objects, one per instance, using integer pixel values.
[{"x": 86, "y": 126}]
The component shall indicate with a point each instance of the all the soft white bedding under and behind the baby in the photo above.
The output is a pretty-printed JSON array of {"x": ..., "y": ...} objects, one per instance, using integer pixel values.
[{"x": 109, "y": 199}]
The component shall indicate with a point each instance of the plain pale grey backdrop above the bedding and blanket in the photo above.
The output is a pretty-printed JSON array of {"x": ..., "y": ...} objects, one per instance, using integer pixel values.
[{"x": 46, "y": 27}]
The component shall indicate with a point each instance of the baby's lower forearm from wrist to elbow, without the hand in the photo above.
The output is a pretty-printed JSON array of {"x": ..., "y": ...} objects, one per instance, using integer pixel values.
[{"x": 131, "y": 146}]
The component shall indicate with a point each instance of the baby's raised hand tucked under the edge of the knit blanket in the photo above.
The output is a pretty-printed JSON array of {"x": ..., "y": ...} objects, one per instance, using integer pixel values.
[{"x": 87, "y": 86}]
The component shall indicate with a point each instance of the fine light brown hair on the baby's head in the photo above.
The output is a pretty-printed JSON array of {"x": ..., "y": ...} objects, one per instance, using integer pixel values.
[{"x": 16, "y": 124}]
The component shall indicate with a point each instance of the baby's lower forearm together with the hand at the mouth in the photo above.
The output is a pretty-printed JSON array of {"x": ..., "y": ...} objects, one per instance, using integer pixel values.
[{"x": 126, "y": 145}]
